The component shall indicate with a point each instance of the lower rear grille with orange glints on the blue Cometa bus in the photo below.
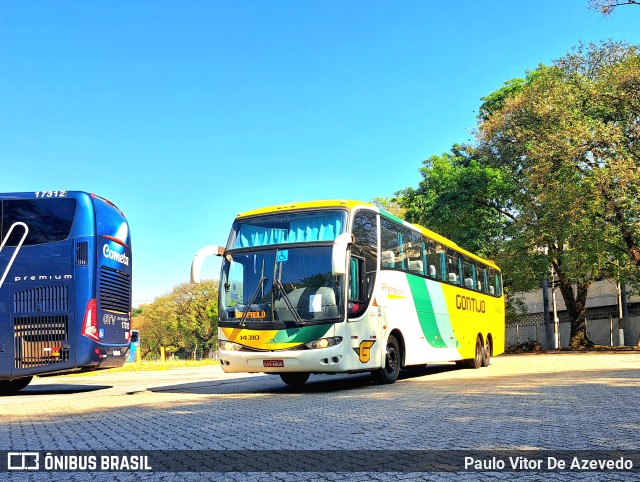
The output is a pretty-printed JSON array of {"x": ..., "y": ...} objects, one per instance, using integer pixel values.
[{"x": 40, "y": 340}]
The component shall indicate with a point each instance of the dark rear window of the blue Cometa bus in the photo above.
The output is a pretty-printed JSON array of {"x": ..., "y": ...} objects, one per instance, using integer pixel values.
[{"x": 47, "y": 220}]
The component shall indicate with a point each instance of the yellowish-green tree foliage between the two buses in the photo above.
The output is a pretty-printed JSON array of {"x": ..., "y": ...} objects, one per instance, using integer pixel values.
[{"x": 184, "y": 321}]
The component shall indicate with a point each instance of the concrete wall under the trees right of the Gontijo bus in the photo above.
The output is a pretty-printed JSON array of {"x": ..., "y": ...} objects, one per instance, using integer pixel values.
[{"x": 599, "y": 331}]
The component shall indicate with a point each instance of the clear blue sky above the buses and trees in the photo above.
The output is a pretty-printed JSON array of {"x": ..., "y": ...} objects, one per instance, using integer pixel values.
[{"x": 185, "y": 113}]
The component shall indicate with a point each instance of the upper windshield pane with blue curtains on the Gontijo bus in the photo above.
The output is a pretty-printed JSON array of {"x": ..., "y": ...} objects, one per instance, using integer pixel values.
[{"x": 287, "y": 228}]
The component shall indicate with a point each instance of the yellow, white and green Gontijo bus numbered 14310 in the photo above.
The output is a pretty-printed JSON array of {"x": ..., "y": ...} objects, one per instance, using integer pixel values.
[{"x": 346, "y": 287}]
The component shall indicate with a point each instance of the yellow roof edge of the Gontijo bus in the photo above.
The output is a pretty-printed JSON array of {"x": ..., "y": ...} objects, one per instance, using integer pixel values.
[{"x": 351, "y": 204}]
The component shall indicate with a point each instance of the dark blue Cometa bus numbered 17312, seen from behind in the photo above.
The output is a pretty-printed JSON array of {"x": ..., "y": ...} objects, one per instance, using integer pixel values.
[{"x": 65, "y": 285}]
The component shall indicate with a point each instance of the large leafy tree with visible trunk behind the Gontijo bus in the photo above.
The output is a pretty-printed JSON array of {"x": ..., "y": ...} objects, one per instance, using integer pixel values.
[{"x": 553, "y": 177}]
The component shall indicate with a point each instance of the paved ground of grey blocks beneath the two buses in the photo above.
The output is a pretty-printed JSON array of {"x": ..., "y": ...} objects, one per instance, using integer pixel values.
[{"x": 521, "y": 402}]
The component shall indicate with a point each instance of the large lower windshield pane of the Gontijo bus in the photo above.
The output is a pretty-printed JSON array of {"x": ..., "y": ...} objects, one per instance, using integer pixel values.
[{"x": 280, "y": 286}]
